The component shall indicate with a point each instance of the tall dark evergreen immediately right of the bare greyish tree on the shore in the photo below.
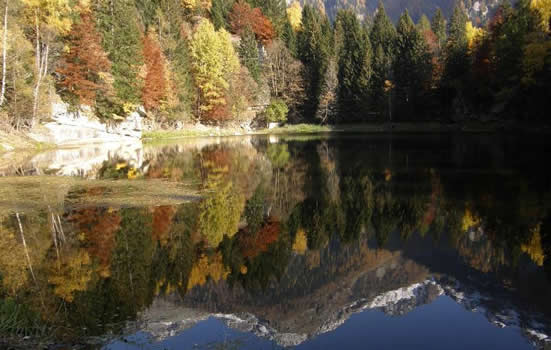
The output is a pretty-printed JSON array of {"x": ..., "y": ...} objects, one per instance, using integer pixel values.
[{"x": 354, "y": 66}]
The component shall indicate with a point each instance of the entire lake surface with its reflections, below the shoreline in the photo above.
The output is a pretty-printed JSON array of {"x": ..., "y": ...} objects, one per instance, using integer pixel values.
[{"x": 348, "y": 242}]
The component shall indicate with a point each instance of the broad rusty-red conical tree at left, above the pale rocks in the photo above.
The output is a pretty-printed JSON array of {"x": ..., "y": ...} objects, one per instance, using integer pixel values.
[{"x": 85, "y": 65}]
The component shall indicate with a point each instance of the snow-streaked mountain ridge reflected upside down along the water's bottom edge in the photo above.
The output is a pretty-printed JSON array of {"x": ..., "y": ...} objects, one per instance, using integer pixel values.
[{"x": 166, "y": 317}]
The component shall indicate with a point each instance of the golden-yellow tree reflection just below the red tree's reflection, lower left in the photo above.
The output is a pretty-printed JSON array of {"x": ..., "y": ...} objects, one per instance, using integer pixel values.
[{"x": 72, "y": 276}]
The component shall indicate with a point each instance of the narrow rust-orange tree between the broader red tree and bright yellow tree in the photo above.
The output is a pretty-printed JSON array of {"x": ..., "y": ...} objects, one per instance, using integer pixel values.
[{"x": 155, "y": 86}]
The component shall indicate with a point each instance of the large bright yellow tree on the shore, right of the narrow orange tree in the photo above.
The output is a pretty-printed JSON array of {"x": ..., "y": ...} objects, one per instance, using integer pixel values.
[{"x": 214, "y": 61}]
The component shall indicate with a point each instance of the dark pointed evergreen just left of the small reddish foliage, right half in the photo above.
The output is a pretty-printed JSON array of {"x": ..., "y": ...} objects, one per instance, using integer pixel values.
[{"x": 412, "y": 66}]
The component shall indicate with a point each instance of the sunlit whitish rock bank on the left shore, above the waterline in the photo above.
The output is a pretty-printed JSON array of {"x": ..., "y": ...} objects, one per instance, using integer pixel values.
[{"x": 69, "y": 128}]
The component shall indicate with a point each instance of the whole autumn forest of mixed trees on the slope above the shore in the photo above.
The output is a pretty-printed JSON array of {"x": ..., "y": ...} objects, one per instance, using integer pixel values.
[{"x": 215, "y": 61}]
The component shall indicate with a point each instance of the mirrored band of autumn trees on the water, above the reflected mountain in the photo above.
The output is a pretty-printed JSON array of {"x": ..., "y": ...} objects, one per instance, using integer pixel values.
[{"x": 261, "y": 206}]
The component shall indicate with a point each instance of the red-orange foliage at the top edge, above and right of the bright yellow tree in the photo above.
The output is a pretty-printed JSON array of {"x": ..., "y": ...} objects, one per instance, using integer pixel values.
[{"x": 243, "y": 16}]
